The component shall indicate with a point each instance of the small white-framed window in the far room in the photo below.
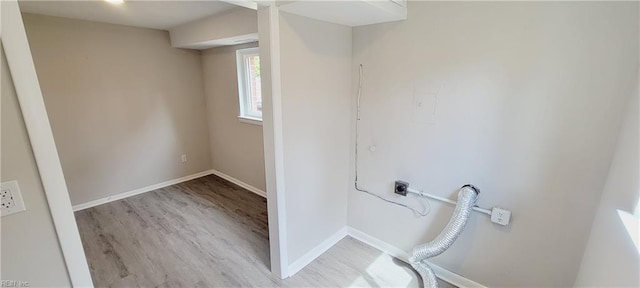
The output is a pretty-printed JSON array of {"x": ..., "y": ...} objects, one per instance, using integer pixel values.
[{"x": 249, "y": 92}]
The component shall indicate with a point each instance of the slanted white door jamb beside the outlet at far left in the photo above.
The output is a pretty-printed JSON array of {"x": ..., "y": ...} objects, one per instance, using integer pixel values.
[{"x": 20, "y": 62}]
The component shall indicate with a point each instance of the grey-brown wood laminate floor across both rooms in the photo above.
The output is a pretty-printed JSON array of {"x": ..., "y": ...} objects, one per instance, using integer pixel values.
[{"x": 211, "y": 233}]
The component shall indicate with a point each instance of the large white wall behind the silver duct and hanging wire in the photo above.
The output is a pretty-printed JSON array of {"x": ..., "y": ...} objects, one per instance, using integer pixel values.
[{"x": 529, "y": 98}]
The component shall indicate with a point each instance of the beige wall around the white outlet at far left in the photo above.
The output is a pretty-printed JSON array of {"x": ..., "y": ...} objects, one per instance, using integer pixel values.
[{"x": 30, "y": 248}]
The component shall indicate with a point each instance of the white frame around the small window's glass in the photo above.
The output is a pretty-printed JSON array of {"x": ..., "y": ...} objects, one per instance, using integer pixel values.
[{"x": 244, "y": 88}]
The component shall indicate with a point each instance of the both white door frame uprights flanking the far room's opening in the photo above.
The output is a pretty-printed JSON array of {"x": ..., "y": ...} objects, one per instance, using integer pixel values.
[{"x": 36, "y": 120}]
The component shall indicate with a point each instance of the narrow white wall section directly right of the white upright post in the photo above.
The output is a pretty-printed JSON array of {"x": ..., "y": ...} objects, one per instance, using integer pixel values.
[{"x": 316, "y": 83}]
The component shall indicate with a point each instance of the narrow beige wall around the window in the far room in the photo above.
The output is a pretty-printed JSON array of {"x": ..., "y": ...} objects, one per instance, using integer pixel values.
[{"x": 236, "y": 147}]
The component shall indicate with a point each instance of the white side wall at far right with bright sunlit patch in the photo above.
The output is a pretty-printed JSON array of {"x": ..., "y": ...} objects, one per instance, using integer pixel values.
[{"x": 611, "y": 258}]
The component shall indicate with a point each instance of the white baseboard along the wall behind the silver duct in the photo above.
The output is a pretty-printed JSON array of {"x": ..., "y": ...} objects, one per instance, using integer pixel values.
[{"x": 396, "y": 252}]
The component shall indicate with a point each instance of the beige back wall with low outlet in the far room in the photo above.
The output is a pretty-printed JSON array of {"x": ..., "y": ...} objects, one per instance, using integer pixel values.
[{"x": 123, "y": 104}]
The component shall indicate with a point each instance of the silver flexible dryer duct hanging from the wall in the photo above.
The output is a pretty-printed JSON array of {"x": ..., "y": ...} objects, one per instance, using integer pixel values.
[{"x": 467, "y": 197}]
